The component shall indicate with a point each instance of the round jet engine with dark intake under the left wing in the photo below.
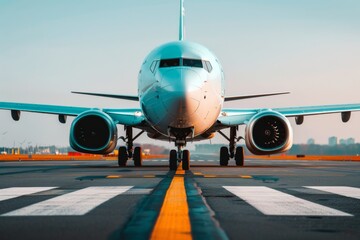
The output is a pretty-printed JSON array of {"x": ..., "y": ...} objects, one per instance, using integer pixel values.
[{"x": 93, "y": 132}]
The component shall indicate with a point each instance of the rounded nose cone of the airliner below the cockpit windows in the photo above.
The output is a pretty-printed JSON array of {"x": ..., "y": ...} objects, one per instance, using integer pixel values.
[{"x": 181, "y": 92}]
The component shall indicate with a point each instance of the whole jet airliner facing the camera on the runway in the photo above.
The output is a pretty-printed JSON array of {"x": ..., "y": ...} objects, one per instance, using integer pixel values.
[{"x": 181, "y": 94}]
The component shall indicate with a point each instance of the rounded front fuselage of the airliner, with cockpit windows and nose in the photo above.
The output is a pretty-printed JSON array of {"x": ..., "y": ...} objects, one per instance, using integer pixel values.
[{"x": 181, "y": 86}]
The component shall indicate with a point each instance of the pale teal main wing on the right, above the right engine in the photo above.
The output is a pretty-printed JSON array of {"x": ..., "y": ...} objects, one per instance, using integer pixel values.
[{"x": 233, "y": 117}]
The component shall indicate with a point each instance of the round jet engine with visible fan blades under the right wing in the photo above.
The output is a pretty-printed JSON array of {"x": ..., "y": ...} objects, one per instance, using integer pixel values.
[{"x": 268, "y": 132}]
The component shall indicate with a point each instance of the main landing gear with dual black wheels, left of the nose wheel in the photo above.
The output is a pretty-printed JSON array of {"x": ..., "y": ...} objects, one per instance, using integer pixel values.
[{"x": 128, "y": 152}]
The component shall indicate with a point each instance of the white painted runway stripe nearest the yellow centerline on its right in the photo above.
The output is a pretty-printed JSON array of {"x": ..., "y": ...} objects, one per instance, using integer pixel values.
[{"x": 276, "y": 203}]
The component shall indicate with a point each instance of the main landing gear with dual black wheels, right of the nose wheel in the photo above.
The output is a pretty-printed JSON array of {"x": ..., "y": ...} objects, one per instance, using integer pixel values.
[{"x": 237, "y": 153}]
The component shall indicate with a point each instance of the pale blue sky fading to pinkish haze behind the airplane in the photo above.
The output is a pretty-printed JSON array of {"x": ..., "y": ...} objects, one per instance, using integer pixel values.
[{"x": 310, "y": 48}]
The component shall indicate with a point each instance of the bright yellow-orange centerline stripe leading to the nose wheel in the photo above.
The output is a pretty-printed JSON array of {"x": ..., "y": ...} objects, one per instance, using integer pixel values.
[{"x": 173, "y": 221}]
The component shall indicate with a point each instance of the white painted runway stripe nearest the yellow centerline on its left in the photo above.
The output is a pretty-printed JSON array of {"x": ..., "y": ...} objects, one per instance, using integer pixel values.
[{"x": 72, "y": 204}]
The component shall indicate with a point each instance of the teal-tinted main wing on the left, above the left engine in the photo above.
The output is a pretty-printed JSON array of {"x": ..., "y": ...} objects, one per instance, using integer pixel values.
[{"x": 129, "y": 117}]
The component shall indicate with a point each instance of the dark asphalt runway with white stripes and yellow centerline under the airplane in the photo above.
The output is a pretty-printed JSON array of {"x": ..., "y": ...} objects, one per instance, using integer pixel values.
[{"x": 98, "y": 200}]
